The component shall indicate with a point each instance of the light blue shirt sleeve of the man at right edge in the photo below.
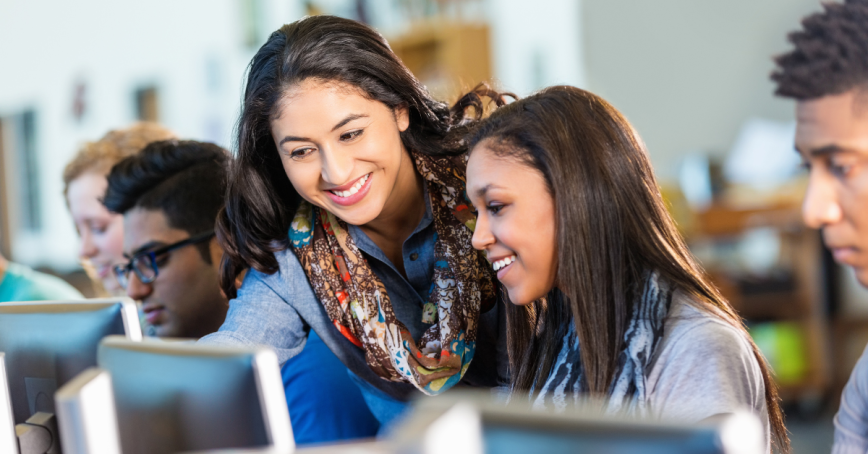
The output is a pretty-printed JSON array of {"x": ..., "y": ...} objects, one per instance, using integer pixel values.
[{"x": 851, "y": 422}]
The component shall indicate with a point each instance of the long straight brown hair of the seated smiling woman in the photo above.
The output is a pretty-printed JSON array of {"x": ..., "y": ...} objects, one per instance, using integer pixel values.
[{"x": 612, "y": 226}]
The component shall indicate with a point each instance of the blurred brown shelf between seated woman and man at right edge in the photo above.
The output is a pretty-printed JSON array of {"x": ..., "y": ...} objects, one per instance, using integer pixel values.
[{"x": 770, "y": 268}]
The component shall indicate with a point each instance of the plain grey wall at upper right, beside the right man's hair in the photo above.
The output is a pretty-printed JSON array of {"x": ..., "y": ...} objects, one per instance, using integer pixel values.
[{"x": 687, "y": 73}]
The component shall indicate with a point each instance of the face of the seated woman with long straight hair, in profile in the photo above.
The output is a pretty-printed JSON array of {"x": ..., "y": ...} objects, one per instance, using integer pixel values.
[{"x": 516, "y": 223}]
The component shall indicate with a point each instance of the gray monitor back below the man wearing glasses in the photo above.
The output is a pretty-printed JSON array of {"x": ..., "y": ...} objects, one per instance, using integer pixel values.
[{"x": 174, "y": 397}]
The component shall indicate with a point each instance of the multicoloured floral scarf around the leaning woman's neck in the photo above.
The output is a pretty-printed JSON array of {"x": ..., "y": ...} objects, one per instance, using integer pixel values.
[{"x": 356, "y": 300}]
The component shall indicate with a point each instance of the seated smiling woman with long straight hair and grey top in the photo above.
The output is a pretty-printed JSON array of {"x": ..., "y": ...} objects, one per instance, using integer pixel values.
[{"x": 607, "y": 299}]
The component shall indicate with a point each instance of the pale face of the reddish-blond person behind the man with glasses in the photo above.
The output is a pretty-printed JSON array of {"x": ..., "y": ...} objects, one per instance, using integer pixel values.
[{"x": 101, "y": 232}]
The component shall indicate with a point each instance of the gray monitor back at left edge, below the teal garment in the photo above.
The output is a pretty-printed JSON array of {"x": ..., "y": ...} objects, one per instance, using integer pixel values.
[{"x": 48, "y": 343}]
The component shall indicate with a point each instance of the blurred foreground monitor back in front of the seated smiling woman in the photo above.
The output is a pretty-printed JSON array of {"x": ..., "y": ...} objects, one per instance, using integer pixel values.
[{"x": 486, "y": 425}]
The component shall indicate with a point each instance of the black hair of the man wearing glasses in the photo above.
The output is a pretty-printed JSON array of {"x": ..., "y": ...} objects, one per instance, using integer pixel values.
[{"x": 184, "y": 179}]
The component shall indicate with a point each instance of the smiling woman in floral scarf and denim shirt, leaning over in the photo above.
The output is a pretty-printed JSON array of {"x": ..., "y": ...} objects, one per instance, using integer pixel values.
[{"x": 346, "y": 202}]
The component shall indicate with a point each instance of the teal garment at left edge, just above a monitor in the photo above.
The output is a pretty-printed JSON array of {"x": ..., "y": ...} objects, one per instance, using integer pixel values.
[{"x": 20, "y": 283}]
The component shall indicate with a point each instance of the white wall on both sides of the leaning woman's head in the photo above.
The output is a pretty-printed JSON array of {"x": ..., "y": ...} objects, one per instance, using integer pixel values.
[{"x": 194, "y": 52}]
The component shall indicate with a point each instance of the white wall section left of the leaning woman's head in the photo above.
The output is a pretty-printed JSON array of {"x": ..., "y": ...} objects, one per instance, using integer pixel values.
[{"x": 193, "y": 50}]
